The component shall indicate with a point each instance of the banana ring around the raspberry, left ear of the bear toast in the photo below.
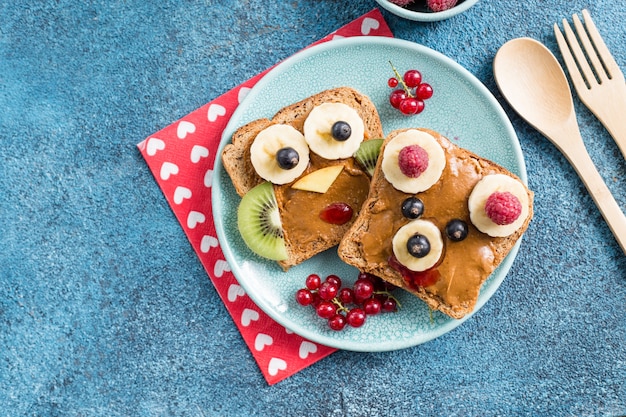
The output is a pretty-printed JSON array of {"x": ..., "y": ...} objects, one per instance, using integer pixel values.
[{"x": 391, "y": 166}]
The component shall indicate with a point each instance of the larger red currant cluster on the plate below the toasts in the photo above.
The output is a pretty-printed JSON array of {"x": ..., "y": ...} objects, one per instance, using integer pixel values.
[{"x": 368, "y": 296}]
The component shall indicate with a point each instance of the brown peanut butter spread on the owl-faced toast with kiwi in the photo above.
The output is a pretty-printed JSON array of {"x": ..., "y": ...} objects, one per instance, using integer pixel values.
[{"x": 300, "y": 210}]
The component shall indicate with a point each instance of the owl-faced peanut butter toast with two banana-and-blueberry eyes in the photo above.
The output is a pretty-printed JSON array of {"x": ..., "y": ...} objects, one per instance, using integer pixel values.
[{"x": 305, "y": 230}]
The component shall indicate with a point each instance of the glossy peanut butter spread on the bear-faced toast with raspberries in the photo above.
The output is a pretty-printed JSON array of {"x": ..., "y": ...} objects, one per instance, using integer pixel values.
[{"x": 463, "y": 265}]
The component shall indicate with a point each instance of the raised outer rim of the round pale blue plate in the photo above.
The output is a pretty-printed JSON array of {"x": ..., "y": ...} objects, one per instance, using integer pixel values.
[{"x": 234, "y": 123}]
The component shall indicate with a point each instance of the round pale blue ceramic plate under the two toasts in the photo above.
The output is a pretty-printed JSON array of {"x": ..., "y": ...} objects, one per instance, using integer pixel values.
[{"x": 462, "y": 109}]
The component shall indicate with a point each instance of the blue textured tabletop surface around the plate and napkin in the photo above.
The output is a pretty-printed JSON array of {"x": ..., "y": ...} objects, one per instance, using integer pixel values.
[{"x": 104, "y": 307}]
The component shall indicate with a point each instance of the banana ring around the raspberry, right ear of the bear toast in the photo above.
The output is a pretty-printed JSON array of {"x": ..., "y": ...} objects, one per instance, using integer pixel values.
[{"x": 478, "y": 198}]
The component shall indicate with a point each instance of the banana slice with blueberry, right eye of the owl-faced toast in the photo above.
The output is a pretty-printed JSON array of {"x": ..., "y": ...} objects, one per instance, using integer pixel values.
[{"x": 334, "y": 130}]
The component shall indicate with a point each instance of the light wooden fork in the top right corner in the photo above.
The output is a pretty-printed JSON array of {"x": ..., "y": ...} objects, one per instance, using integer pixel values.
[{"x": 602, "y": 89}]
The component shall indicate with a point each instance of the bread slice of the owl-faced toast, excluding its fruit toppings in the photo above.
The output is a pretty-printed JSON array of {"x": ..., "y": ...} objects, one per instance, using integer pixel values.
[{"x": 236, "y": 161}]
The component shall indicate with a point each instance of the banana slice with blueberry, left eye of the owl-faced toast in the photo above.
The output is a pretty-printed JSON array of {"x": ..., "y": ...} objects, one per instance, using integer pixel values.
[{"x": 279, "y": 154}]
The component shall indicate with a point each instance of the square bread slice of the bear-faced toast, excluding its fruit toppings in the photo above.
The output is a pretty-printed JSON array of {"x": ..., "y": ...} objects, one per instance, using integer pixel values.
[{"x": 465, "y": 265}]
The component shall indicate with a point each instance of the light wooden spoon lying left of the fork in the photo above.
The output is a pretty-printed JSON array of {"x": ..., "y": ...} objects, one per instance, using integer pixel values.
[{"x": 534, "y": 84}]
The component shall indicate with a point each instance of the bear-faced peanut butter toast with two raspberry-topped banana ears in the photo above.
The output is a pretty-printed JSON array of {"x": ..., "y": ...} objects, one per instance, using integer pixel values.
[{"x": 437, "y": 227}]
